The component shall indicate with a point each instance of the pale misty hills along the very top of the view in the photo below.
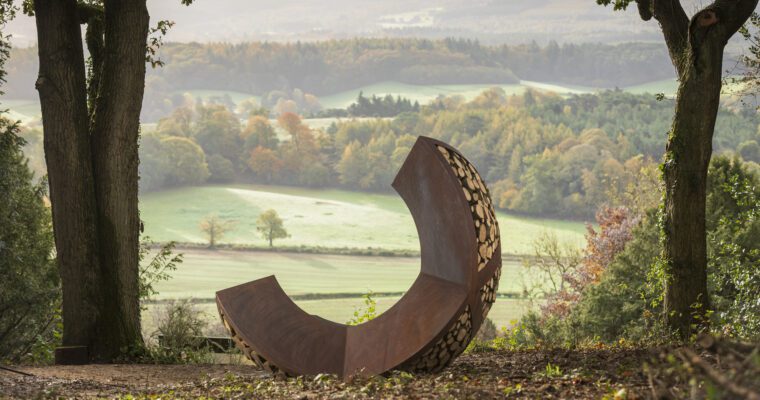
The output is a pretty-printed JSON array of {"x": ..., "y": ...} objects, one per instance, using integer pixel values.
[{"x": 491, "y": 21}]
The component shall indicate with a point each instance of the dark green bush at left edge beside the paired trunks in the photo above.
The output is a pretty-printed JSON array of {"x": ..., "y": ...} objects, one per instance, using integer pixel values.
[{"x": 30, "y": 290}]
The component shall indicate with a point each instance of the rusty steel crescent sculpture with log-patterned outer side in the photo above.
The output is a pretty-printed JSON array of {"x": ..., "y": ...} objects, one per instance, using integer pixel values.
[{"x": 430, "y": 325}]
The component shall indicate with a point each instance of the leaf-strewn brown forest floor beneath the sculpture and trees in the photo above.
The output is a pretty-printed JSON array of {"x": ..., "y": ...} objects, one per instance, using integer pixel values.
[{"x": 715, "y": 370}]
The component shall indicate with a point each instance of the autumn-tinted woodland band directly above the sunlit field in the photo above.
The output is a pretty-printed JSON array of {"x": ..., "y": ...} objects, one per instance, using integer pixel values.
[{"x": 541, "y": 154}]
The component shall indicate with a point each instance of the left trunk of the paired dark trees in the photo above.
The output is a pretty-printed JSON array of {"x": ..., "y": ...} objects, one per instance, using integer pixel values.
[{"x": 63, "y": 99}]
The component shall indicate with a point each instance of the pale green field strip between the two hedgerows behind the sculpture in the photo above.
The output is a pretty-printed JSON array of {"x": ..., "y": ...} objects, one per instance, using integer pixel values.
[{"x": 204, "y": 272}]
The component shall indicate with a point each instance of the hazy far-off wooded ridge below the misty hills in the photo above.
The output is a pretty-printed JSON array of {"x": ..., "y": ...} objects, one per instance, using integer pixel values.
[{"x": 328, "y": 67}]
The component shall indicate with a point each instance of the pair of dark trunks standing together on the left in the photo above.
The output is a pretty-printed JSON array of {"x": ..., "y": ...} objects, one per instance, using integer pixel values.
[{"x": 91, "y": 134}]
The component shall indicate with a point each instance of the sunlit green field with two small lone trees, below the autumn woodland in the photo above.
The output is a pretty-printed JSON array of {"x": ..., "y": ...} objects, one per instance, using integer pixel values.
[{"x": 328, "y": 218}]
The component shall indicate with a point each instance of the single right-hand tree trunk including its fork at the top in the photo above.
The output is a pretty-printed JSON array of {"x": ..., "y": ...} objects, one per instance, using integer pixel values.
[{"x": 696, "y": 49}]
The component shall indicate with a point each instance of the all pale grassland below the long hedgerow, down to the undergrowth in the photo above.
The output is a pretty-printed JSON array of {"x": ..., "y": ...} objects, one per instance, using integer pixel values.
[{"x": 204, "y": 272}]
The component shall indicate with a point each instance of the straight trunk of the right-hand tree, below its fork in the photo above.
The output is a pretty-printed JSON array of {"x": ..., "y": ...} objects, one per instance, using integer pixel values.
[{"x": 685, "y": 172}]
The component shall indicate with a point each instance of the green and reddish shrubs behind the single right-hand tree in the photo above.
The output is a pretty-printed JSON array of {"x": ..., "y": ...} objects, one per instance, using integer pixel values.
[{"x": 616, "y": 293}]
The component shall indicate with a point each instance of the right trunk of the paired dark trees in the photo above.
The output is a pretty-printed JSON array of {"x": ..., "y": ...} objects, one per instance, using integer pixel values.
[{"x": 115, "y": 131}]
